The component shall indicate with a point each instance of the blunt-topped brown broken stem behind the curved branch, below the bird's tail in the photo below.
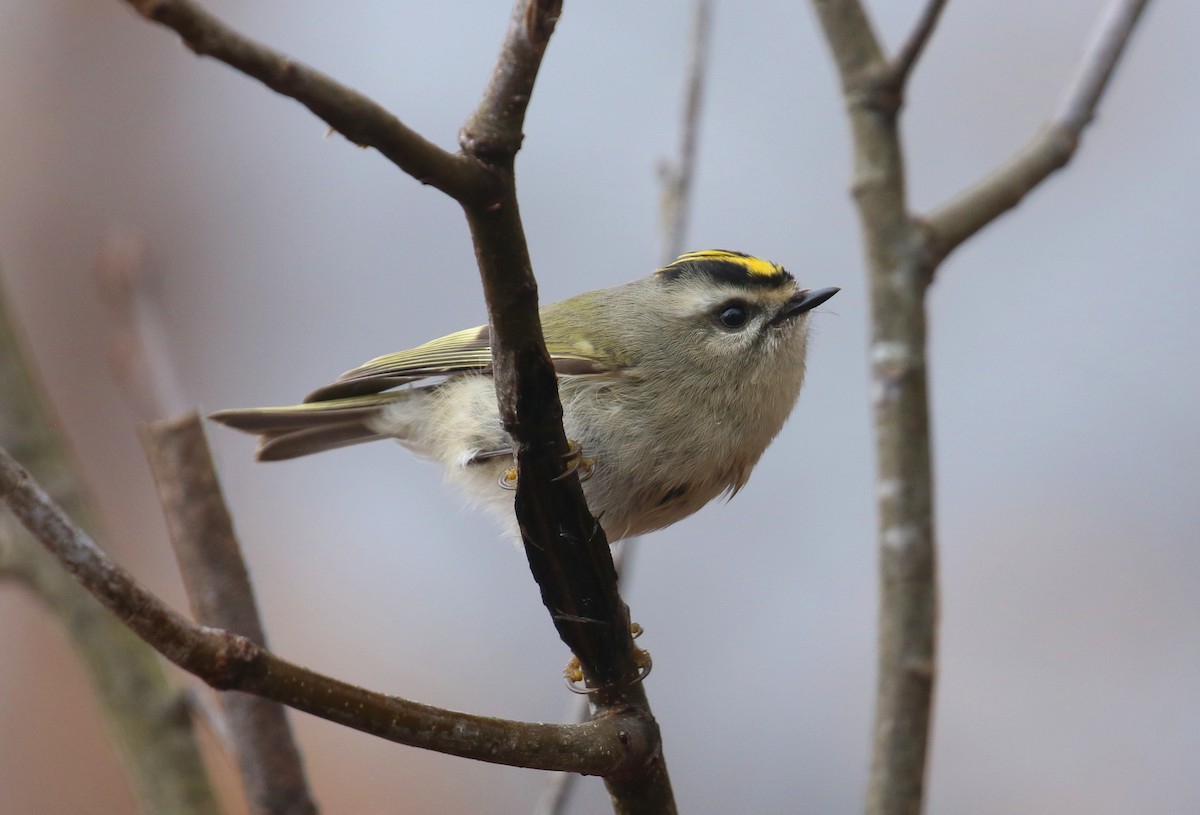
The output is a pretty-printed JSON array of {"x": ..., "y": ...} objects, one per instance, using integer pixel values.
[{"x": 221, "y": 596}]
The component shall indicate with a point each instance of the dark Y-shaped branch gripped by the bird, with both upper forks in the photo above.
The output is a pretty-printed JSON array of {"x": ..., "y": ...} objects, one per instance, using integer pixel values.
[{"x": 567, "y": 549}]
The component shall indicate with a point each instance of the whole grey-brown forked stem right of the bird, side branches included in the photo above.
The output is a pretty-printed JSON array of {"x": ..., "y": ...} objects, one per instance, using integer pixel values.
[{"x": 902, "y": 254}]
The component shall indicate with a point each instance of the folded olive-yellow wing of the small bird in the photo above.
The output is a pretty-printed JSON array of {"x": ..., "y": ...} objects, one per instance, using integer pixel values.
[{"x": 464, "y": 352}]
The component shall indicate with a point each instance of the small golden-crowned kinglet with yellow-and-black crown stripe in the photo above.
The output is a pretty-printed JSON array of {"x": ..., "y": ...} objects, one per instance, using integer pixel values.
[{"x": 673, "y": 387}]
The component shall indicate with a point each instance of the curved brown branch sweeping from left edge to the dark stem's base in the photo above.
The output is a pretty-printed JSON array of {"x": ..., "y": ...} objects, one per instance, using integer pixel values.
[{"x": 229, "y": 662}]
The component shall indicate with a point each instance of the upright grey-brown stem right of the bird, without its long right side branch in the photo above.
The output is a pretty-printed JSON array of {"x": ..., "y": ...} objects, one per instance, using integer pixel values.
[{"x": 898, "y": 272}]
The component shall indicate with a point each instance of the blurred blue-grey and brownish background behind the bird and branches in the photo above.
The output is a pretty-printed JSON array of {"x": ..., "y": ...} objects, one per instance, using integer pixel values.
[{"x": 1064, "y": 363}]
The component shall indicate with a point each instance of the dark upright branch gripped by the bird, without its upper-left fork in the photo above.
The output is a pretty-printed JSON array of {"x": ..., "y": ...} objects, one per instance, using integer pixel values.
[{"x": 566, "y": 547}]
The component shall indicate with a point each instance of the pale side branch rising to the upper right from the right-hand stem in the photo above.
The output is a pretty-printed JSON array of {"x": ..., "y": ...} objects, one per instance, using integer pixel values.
[{"x": 1052, "y": 149}]
